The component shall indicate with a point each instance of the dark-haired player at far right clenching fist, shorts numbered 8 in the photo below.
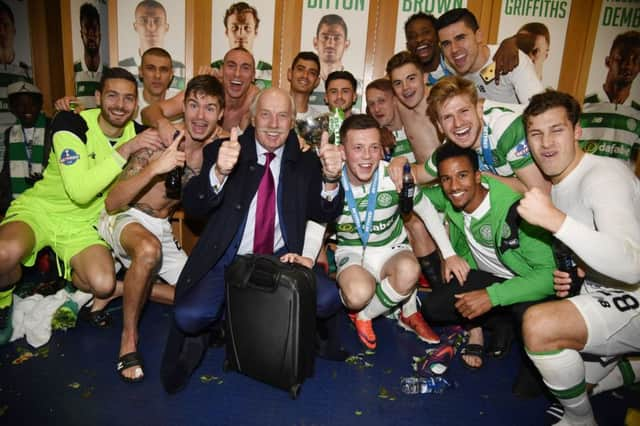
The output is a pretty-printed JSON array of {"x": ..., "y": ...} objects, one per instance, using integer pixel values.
[{"x": 593, "y": 209}]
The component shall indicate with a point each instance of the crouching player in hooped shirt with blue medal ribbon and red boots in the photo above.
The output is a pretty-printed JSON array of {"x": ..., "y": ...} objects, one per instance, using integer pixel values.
[{"x": 376, "y": 267}]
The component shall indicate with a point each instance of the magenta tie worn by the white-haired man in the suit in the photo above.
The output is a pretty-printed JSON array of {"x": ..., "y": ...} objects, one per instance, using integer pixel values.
[{"x": 265, "y": 211}]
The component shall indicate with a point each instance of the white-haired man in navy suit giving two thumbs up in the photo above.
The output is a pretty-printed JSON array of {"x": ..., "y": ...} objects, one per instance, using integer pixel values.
[{"x": 226, "y": 191}]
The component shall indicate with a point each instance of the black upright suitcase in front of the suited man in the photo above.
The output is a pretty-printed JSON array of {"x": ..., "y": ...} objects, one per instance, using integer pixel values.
[{"x": 270, "y": 321}]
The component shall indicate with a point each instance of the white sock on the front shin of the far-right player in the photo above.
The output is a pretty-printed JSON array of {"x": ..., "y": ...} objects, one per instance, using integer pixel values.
[{"x": 563, "y": 373}]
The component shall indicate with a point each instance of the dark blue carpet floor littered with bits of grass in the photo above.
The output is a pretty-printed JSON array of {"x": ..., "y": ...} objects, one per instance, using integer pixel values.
[{"x": 72, "y": 381}]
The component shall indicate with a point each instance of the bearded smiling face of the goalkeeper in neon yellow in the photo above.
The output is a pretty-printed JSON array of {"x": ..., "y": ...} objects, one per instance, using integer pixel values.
[{"x": 118, "y": 101}]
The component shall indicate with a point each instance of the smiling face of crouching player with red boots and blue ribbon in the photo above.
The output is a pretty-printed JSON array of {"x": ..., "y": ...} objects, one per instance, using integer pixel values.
[{"x": 362, "y": 151}]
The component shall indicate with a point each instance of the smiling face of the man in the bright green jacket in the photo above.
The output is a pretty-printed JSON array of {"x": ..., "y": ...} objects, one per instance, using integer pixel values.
[{"x": 461, "y": 183}]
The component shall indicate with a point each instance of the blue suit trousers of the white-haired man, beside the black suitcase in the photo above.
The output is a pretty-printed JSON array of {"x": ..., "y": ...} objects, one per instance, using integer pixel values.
[{"x": 203, "y": 304}]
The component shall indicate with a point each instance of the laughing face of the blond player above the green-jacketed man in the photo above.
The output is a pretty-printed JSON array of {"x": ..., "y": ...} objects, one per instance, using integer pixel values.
[{"x": 461, "y": 121}]
